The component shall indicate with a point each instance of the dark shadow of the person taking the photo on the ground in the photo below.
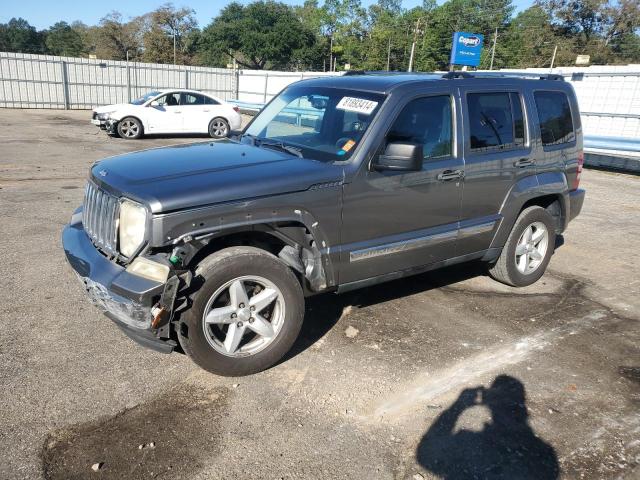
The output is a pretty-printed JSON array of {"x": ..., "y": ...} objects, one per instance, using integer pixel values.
[{"x": 506, "y": 448}]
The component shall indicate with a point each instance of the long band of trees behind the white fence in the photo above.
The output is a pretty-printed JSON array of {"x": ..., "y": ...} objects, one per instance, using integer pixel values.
[{"x": 329, "y": 34}]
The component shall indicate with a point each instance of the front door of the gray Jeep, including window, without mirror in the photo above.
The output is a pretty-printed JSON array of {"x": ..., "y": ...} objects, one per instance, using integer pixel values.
[{"x": 393, "y": 221}]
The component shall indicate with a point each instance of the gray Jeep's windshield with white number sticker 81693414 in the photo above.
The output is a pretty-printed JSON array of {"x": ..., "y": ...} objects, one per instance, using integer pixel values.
[{"x": 322, "y": 123}]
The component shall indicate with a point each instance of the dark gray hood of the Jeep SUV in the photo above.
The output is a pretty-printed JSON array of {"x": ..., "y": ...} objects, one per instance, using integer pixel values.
[{"x": 188, "y": 176}]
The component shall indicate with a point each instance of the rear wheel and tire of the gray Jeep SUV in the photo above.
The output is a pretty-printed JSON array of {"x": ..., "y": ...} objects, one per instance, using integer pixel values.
[{"x": 528, "y": 250}]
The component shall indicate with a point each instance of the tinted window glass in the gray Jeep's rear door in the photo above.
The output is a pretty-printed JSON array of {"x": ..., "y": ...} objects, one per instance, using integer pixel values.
[{"x": 495, "y": 121}]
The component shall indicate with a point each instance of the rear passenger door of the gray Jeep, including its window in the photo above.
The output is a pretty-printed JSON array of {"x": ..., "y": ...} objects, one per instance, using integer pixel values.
[{"x": 497, "y": 153}]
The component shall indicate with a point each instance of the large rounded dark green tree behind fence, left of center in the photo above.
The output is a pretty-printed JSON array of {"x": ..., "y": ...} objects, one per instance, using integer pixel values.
[{"x": 258, "y": 35}]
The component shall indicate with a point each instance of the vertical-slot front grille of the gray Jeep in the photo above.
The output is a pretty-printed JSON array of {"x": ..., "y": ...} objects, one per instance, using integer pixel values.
[{"x": 100, "y": 217}]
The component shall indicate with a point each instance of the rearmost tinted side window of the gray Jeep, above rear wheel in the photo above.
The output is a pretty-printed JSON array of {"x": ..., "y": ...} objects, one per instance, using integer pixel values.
[{"x": 554, "y": 115}]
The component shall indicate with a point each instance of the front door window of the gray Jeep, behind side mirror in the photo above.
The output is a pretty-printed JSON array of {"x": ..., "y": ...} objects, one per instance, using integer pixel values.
[{"x": 425, "y": 121}]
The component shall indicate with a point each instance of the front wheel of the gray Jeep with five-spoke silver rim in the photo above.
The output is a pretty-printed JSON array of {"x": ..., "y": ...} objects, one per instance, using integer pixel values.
[{"x": 246, "y": 314}]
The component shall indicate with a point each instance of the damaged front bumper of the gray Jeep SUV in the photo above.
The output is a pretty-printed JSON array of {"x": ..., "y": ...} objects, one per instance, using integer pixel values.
[{"x": 125, "y": 298}]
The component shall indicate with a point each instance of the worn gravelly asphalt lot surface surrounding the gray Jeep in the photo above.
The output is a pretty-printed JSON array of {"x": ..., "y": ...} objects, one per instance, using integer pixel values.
[{"x": 443, "y": 375}]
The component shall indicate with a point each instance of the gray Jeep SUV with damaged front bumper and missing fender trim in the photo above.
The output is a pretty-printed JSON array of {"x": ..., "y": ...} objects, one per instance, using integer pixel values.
[{"x": 337, "y": 184}]
